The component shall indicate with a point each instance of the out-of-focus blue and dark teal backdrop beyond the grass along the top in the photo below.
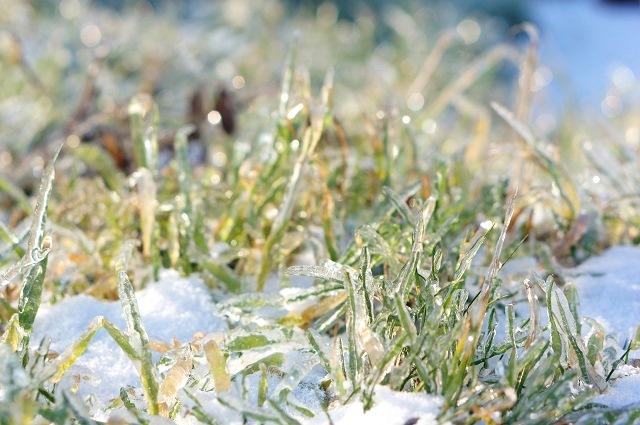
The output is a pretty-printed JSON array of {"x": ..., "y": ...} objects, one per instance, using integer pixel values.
[{"x": 591, "y": 45}]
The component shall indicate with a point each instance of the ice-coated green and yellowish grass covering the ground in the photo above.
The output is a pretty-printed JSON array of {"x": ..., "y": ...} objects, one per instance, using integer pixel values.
[{"x": 410, "y": 227}]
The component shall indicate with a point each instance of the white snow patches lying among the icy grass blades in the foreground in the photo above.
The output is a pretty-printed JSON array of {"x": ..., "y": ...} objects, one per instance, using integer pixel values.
[{"x": 177, "y": 308}]
